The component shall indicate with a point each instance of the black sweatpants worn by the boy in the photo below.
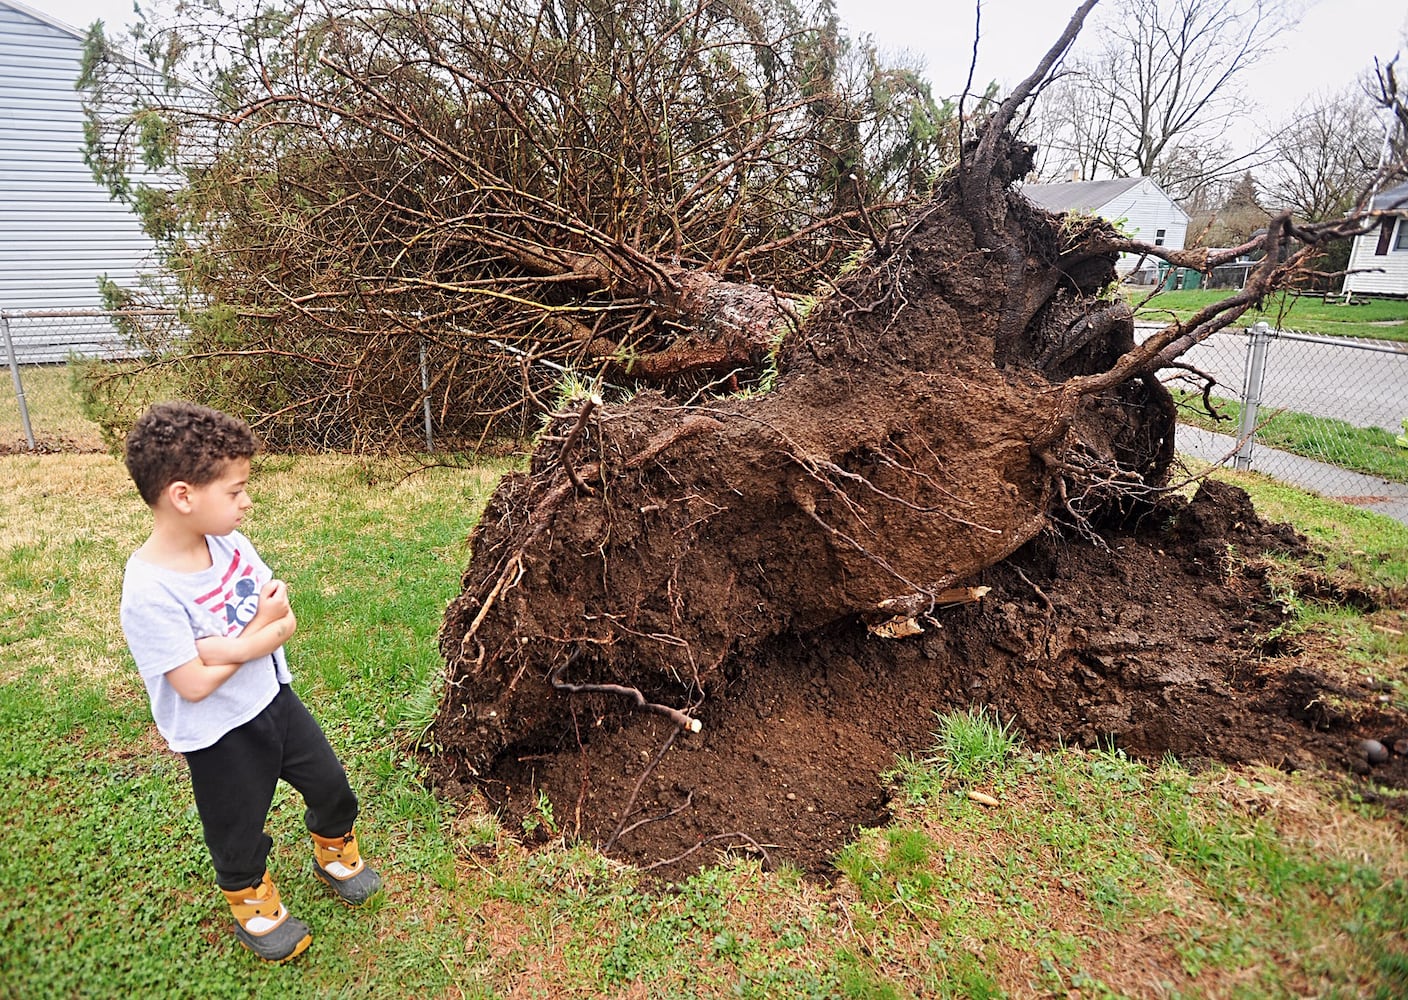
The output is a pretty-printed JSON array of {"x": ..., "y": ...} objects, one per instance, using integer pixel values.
[{"x": 234, "y": 782}]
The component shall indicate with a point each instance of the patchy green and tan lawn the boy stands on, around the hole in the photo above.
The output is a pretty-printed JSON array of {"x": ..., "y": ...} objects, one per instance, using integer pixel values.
[{"x": 1095, "y": 875}]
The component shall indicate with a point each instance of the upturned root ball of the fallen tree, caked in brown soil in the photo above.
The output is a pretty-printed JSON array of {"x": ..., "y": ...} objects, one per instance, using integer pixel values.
[{"x": 972, "y": 384}]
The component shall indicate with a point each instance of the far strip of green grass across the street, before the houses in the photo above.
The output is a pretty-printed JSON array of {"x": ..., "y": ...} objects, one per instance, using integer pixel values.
[{"x": 1379, "y": 319}]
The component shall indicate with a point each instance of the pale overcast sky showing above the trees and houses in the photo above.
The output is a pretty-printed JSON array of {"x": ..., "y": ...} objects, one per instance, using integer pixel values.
[{"x": 1331, "y": 44}]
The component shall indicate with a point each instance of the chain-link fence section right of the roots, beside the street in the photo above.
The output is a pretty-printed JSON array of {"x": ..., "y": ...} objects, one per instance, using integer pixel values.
[{"x": 1307, "y": 409}]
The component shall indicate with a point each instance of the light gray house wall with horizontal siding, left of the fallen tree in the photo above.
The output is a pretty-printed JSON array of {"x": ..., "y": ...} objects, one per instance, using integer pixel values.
[{"x": 58, "y": 230}]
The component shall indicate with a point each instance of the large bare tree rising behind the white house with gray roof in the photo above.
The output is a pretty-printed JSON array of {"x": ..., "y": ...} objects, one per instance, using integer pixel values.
[{"x": 1164, "y": 80}]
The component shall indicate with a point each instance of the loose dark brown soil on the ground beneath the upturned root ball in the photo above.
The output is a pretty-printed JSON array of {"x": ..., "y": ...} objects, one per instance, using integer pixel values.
[{"x": 1151, "y": 640}]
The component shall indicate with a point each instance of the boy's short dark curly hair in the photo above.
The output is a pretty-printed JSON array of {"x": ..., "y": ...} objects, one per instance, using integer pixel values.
[{"x": 184, "y": 443}]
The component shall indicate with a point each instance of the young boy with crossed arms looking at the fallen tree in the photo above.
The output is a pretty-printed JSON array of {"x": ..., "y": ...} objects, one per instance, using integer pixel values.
[{"x": 206, "y": 623}]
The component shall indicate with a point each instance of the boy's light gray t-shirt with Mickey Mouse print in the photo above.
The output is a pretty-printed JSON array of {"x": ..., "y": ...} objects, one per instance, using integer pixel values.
[{"x": 165, "y": 612}]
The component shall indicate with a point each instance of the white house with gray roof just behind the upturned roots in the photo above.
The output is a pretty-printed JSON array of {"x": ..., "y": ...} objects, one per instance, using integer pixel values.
[{"x": 1138, "y": 206}]
